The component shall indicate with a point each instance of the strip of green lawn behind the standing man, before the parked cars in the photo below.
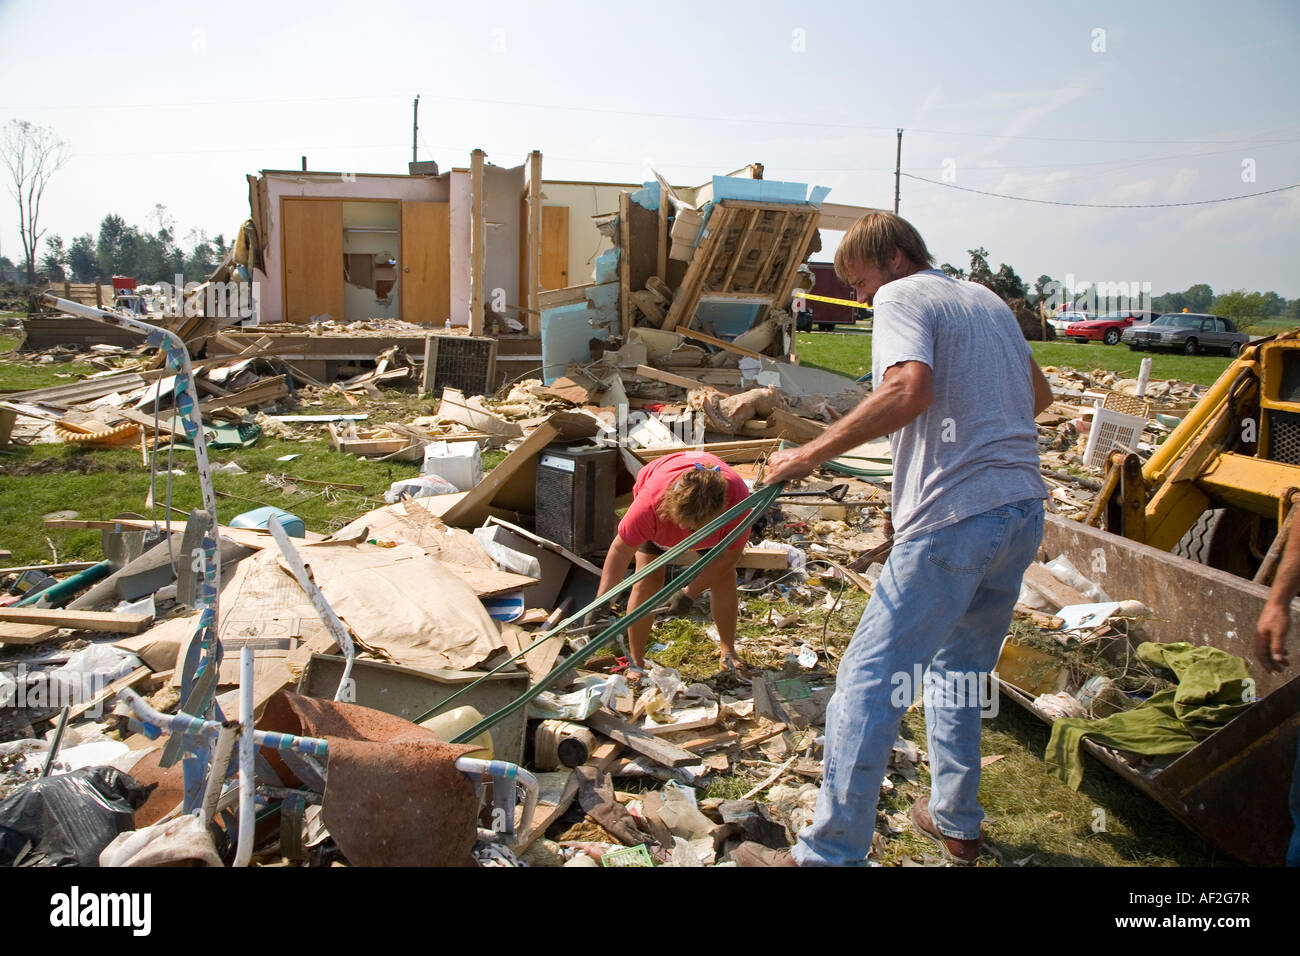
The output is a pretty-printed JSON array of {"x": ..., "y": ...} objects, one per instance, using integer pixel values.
[{"x": 851, "y": 354}]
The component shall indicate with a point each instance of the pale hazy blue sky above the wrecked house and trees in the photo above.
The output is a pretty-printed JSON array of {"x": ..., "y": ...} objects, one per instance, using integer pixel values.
[{"x": 175, "y": 102}]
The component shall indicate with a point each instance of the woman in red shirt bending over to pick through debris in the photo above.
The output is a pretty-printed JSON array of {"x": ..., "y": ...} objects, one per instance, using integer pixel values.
[{"x": 674, "y": 498}]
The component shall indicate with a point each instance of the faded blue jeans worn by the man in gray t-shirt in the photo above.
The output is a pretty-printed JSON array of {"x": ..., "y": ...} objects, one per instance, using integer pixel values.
[{"x": 943, "y": 607}]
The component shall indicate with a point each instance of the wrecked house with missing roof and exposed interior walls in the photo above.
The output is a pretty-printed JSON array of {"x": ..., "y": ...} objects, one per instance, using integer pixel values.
[{"x": 548, "y": 269}]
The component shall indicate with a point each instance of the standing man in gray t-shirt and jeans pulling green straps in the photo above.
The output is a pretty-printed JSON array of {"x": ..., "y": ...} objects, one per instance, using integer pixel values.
[{"x": 957, "y": 390}]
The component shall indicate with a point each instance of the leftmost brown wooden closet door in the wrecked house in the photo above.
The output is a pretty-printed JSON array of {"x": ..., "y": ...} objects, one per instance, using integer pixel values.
[{"x": 314, "y": 259}]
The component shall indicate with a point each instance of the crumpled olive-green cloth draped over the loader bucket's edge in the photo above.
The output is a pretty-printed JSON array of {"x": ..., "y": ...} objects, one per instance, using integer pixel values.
[{"x": 1214, "y": 687}]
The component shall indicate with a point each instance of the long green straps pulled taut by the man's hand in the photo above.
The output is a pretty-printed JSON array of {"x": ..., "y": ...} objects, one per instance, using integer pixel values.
[{"x": 753, "y": 508}]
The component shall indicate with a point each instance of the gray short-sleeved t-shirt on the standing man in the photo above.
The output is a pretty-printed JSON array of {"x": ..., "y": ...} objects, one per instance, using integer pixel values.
[{"x": 976, "y": 447}]
